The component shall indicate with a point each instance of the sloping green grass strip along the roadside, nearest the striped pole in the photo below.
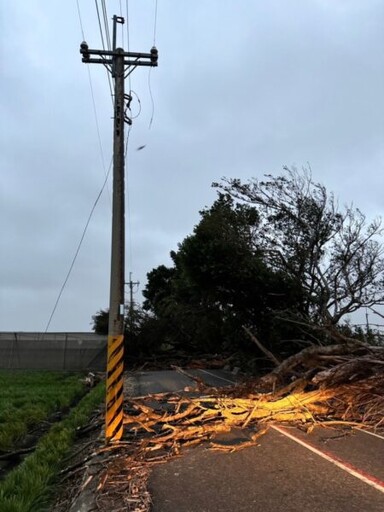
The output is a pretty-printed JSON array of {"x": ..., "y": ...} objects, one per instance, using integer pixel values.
[{"x": 28, "y": 487}]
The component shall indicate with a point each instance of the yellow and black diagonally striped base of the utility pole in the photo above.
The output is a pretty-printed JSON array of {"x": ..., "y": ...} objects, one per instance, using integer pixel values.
[{"x": 114, "y": 398}]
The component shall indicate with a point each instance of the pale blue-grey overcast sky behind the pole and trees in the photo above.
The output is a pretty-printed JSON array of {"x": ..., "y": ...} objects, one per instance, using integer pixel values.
[{"x": 243, "y": 88}]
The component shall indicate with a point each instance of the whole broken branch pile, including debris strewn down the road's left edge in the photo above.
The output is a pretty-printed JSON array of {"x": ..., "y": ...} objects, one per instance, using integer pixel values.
[{"x": 338, "y": 384}]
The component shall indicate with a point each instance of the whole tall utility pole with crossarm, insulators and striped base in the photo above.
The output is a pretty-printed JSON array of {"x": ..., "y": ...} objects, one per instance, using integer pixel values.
[{"x": 120, "y": 64}]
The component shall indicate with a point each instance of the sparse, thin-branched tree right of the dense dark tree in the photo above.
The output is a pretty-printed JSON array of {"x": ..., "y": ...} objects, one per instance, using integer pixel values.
[{"x": 333, "y": 255}]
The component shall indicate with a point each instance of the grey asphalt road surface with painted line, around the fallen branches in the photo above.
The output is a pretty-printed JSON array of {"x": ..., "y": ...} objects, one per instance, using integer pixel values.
[{"x": 326, "y": 471}]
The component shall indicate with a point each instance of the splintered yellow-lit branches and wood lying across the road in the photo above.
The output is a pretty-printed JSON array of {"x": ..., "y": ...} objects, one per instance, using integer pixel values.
[{"x": 340, "y": 383}]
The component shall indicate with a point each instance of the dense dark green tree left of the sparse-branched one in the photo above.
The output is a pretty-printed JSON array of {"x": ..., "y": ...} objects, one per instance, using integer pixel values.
[{"x": 218, "y": 283}]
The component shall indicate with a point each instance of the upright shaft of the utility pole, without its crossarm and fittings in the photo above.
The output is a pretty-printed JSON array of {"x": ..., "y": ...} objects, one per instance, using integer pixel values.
[{"x": 115, "y": 358}]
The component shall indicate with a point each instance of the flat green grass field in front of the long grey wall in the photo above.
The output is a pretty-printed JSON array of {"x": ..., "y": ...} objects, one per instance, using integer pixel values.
[{"x": 28, "y": 397}]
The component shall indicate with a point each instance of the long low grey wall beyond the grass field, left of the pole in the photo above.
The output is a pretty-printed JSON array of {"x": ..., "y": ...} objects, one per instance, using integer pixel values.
[{"x": 53, "y": 351}]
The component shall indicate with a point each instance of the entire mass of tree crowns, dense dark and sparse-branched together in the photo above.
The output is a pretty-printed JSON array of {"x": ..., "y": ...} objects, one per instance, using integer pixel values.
[{"x": 276, "y": 257}]
